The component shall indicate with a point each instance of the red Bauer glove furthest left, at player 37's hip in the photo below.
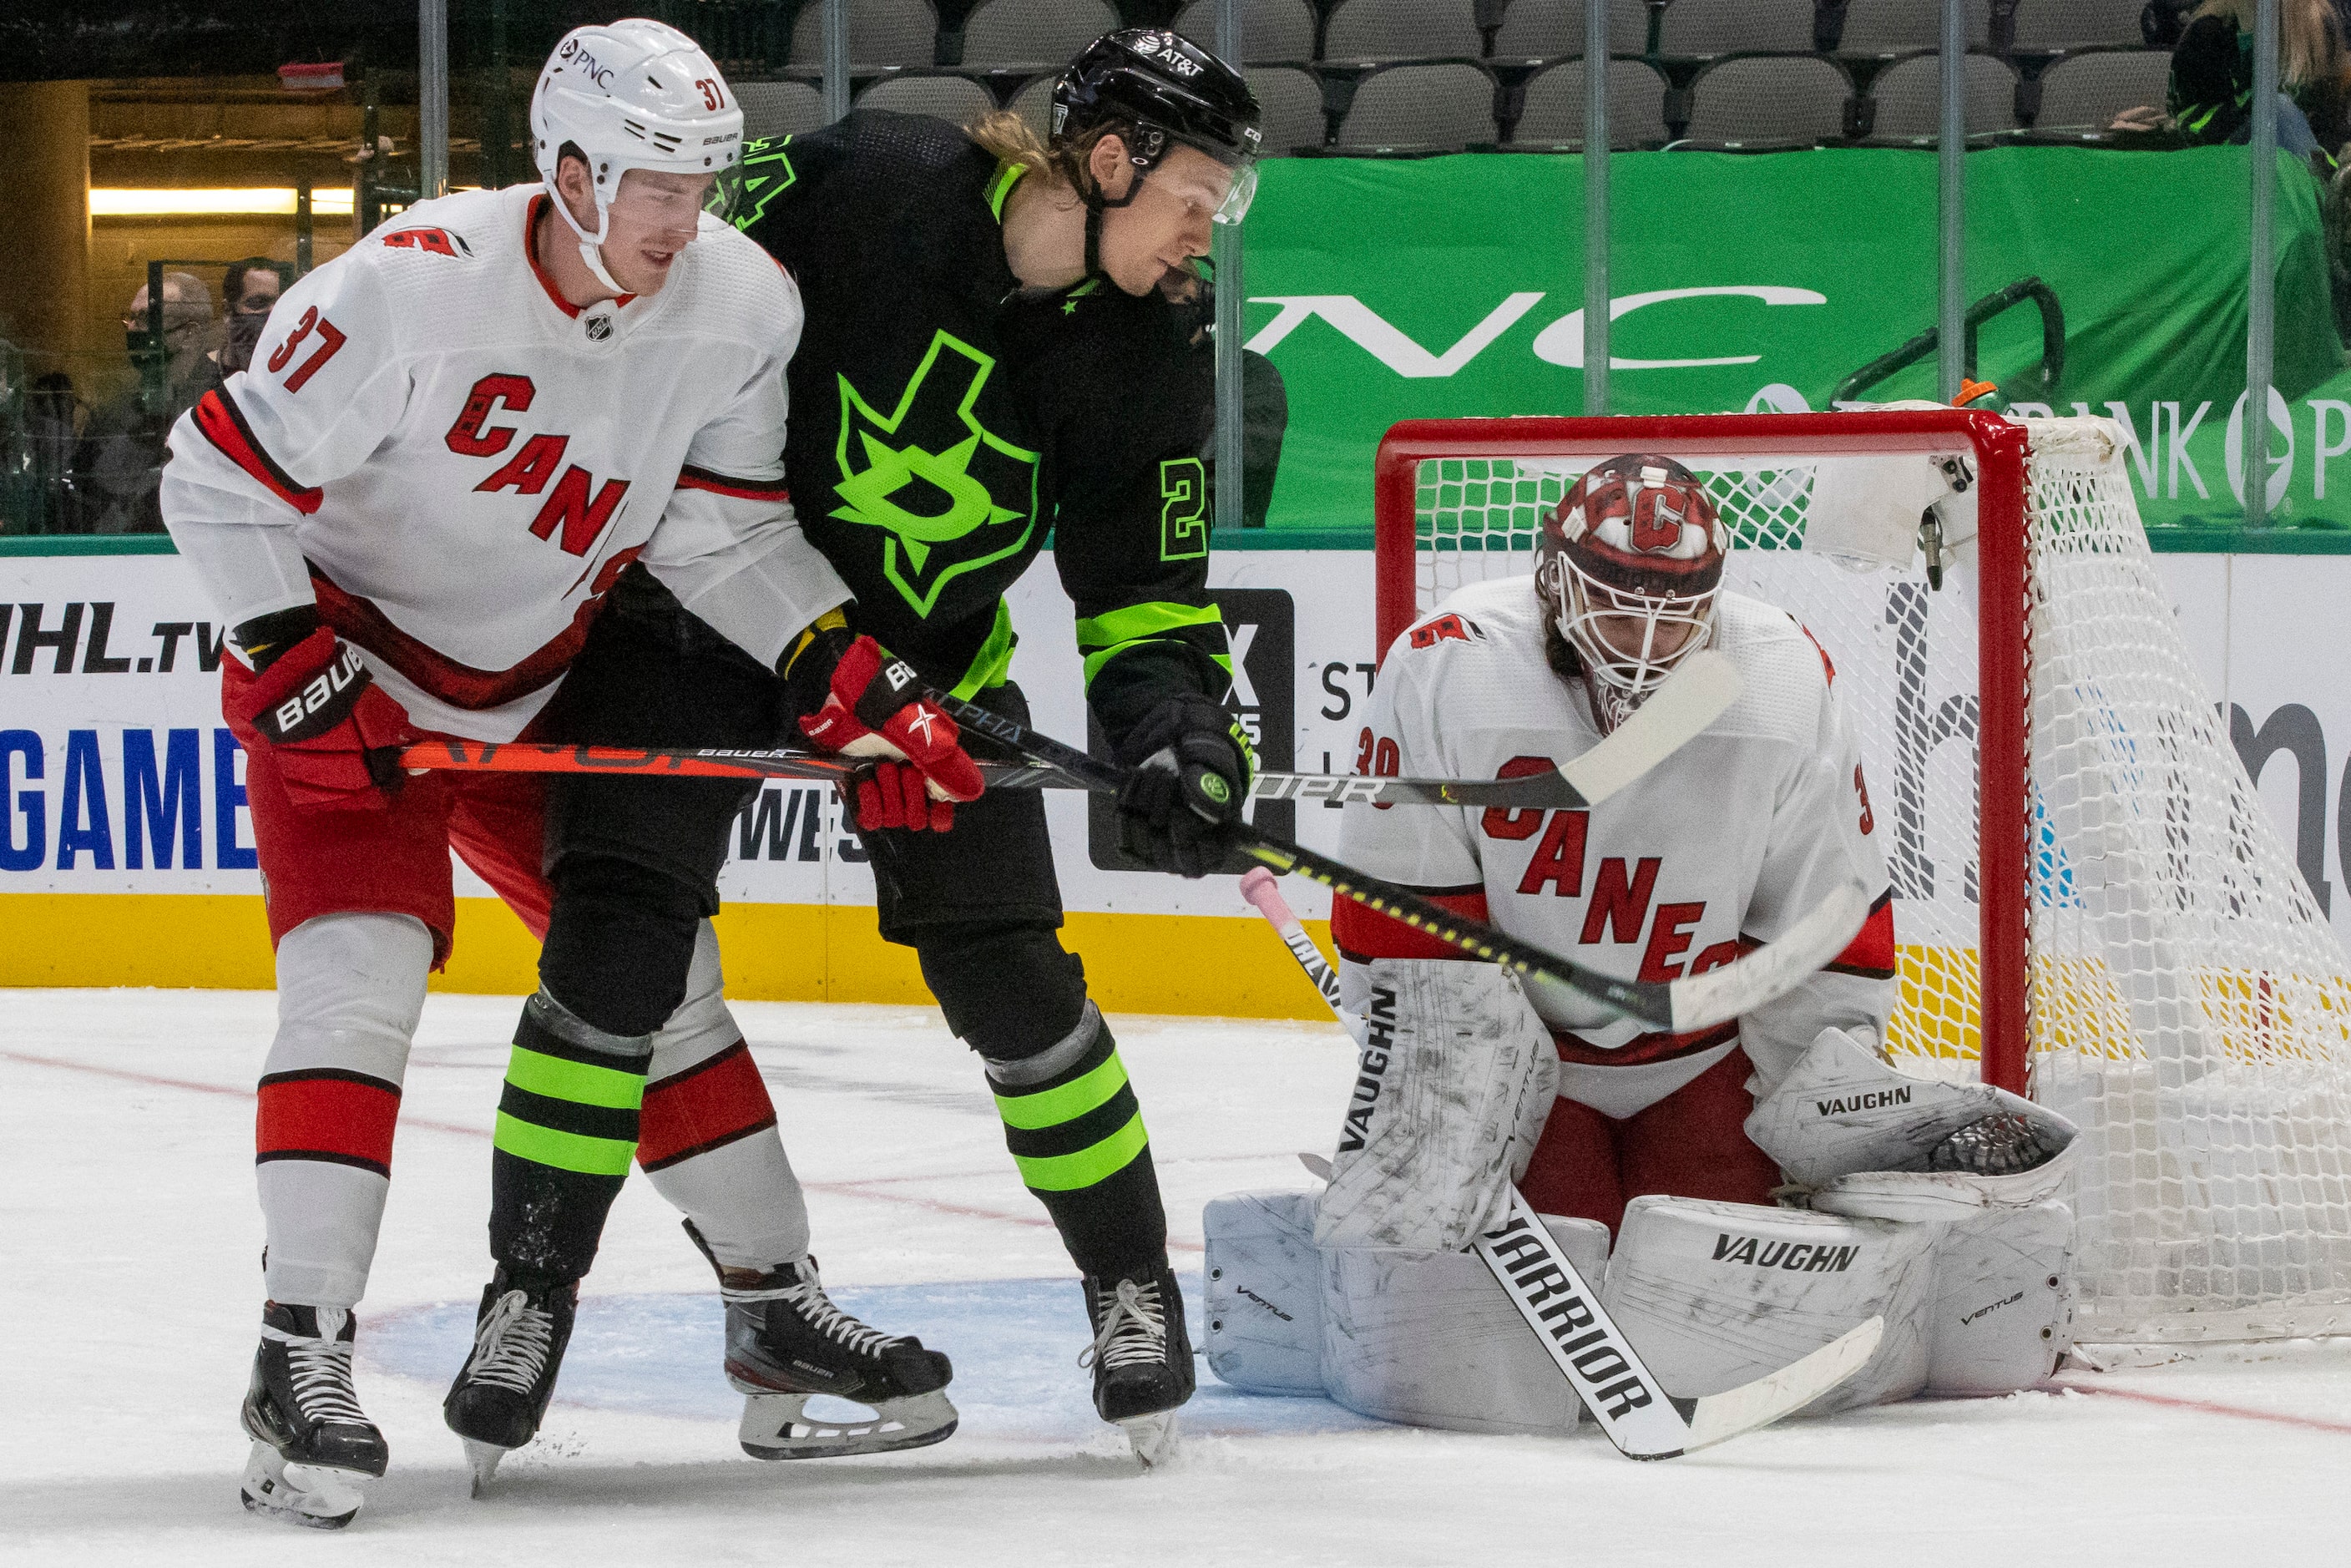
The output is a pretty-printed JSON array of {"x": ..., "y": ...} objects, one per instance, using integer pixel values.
[{"x": 326, "y": 723}]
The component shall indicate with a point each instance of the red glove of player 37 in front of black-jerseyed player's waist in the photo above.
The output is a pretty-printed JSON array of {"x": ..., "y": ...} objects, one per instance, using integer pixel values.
[{"x": 873, "y": 709}]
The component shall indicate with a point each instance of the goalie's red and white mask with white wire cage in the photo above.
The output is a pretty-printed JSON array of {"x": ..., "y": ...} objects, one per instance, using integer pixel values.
[{"x": 1628, "y": 565}]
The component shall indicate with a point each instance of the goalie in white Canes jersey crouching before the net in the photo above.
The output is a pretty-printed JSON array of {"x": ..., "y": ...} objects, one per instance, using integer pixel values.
[{"x": 1748, "y": 1191}]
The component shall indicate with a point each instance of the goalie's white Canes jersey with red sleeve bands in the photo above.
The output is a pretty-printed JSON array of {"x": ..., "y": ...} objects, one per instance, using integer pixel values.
[{"x": 1717, "y": 850}]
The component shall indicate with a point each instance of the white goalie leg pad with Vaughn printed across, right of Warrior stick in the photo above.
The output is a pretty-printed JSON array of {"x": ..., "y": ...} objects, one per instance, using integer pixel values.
[{"x": 1722, "y": 1294}]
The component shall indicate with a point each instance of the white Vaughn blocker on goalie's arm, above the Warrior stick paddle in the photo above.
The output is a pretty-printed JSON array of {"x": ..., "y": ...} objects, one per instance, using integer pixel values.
[{"x": 1452, "y": 1094}]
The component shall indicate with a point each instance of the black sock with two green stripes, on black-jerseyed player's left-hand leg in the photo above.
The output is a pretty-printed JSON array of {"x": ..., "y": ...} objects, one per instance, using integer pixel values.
[{"x": 568, "y": 1134}]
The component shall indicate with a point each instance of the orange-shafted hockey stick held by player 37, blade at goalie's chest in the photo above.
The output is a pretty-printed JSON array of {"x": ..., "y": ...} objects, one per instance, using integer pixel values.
[{"x": 1696, "y": 697}]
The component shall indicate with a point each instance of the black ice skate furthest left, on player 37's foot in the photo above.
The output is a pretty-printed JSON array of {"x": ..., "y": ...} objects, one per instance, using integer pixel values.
[{"x": 312, "y": 1440}]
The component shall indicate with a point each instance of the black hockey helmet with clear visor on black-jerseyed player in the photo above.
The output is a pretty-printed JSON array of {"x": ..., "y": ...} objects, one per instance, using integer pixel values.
[{"x": 1170, "y": 91}]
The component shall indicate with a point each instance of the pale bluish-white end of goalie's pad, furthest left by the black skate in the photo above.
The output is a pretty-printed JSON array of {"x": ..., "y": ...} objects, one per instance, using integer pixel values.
[{"x": 1264, "y": 1292}]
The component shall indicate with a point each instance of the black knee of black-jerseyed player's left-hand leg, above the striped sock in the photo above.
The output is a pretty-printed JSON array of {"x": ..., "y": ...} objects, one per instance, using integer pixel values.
[{"x": 622, "y": 942}]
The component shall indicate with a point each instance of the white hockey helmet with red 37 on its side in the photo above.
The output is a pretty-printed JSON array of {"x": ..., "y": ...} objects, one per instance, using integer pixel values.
[{"x": 631, "y": 95}]
